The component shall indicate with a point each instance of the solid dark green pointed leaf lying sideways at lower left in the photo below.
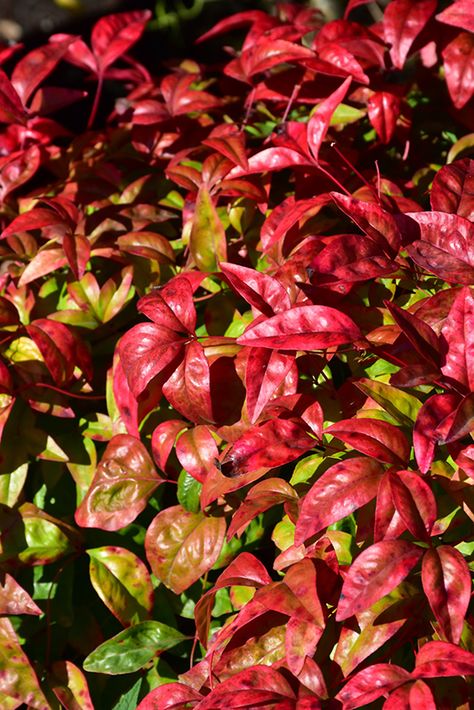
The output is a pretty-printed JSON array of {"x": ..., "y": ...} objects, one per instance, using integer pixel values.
[{"x": 132, "y": 648}]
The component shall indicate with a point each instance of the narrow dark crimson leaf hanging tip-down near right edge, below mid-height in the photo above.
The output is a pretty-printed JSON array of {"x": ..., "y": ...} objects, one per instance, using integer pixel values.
[{"x": 430, "y": 416}]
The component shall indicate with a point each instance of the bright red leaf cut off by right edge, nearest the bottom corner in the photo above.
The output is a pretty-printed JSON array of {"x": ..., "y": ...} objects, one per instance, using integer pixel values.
[{"x": 440, "y": 659}]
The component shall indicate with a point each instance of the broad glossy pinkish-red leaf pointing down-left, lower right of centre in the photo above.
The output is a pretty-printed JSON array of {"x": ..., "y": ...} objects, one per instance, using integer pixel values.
[{"x": 343, "y": 488}]
